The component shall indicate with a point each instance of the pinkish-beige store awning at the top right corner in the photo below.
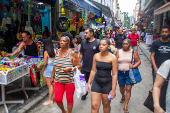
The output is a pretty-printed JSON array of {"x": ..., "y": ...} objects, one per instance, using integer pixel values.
[{"x": 162, "y": 9}]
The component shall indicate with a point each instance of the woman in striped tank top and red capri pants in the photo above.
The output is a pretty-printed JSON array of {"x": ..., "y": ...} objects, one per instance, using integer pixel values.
[{"x": 65, "y": 63}]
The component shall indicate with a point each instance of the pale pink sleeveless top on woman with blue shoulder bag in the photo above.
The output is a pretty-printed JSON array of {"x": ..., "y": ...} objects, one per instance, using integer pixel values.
[{"x": 124, "y": 59}]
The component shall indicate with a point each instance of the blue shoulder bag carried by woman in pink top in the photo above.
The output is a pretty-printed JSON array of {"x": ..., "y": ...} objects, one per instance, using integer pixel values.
[{"x": 134, "y": 74}]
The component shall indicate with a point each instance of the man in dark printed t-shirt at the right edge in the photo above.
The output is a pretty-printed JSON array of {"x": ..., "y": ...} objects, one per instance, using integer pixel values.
[{"x": 160, "y": 50}]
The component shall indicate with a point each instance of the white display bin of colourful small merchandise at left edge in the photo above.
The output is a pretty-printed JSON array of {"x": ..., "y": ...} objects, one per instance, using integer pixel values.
[{"x": 11, "y": 69}]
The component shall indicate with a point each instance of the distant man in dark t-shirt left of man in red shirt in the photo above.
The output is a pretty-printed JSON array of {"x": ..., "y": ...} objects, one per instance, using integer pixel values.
[{"x": 118, "y": 40}]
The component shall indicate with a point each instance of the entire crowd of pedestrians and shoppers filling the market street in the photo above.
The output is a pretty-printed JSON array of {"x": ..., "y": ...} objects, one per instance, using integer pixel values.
[{"x": 104, "y": 59}]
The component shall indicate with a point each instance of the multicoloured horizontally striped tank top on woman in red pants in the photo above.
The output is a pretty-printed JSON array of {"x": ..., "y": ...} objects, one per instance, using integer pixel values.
[{"x": 60, "y": 63}]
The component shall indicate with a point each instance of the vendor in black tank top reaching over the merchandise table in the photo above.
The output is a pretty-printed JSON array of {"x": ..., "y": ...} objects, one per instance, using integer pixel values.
[{"x": 29, "y": 45}]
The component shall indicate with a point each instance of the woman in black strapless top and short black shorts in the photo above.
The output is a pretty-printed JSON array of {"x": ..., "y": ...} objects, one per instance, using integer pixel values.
[{"x": 104, "y": 72}]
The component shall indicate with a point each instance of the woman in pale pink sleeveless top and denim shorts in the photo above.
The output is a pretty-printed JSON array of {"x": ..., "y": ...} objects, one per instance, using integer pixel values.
[{"x": 124, "y": 64}]
